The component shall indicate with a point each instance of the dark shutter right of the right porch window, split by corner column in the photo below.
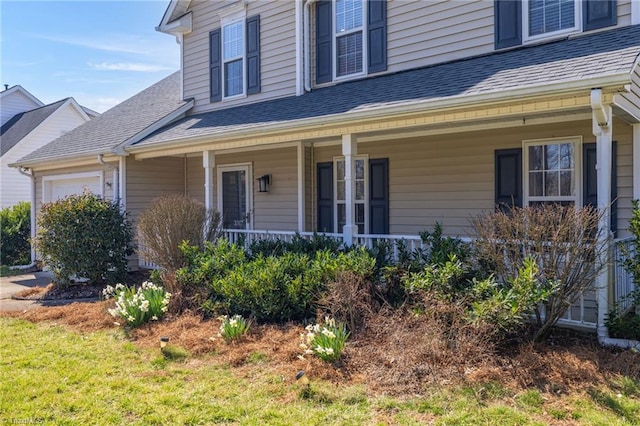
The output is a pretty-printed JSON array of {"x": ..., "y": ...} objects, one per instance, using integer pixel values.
[{"x": 590, "y": 180}]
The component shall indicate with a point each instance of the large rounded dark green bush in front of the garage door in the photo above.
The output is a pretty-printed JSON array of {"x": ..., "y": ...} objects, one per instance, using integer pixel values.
[{"x": 84, "y": 236}]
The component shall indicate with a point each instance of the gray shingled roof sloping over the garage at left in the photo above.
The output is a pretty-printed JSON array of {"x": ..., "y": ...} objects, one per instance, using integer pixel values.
[{"x": 117, "y": 125}]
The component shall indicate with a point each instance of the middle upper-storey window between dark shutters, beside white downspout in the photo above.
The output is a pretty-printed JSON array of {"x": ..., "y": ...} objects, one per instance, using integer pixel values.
[{"x": 349, "y": 40}]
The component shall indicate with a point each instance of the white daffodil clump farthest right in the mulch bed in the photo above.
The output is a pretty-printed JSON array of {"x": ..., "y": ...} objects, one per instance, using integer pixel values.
[{"x": 325, "y": 340}]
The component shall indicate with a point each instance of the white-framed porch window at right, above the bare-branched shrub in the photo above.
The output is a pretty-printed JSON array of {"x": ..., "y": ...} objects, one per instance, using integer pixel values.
[{"x": 551, "y": 171}]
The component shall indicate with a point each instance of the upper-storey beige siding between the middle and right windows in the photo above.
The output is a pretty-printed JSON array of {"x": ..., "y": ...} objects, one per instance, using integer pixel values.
[{"x": 422, "y": 33}]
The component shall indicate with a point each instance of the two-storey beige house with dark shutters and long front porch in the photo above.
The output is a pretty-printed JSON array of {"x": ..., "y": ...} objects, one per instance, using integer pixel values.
[{"x": 371, "y": 119}]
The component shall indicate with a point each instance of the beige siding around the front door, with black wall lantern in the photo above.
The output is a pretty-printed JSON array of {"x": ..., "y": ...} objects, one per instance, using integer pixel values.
[{"x": 278, "y": 208}]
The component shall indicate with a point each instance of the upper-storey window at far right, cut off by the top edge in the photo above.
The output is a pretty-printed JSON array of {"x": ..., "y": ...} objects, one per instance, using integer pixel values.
[{"x": 543, "y": 18}]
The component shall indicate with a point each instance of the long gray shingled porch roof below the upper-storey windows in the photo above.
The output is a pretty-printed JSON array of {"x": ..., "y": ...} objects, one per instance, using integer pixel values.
[{"x": 588, "y": 56}]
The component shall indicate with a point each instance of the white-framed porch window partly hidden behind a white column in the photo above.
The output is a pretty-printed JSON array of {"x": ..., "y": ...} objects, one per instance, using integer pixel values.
[{"x": 360, "y": 195}]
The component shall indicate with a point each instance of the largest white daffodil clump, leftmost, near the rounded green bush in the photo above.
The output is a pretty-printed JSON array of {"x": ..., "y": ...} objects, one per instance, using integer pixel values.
[{"x": 138, "y": 306}]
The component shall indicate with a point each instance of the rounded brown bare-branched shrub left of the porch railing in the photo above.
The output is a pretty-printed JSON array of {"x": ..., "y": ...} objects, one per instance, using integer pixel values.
[{"x": 168, "y": 221}]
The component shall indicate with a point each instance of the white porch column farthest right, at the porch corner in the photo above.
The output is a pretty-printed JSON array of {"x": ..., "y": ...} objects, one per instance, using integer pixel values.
[{"x": 602, "y": 129}]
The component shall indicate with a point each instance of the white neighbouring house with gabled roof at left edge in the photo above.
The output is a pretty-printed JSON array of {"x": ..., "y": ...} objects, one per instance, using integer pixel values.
[{"x": 28, "y": 124}]
